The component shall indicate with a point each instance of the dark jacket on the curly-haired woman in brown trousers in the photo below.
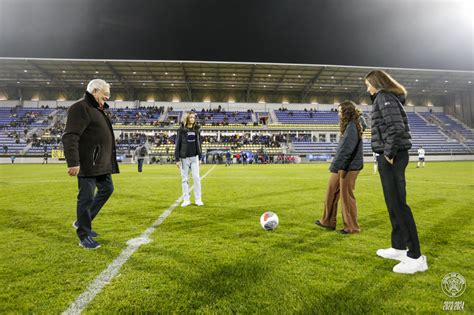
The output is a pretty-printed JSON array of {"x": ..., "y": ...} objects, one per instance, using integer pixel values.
[{"x": 350, "y": 154}]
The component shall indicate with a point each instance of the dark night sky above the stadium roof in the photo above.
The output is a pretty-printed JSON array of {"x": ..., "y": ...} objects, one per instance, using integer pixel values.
[{"x": 424, "y": 34}]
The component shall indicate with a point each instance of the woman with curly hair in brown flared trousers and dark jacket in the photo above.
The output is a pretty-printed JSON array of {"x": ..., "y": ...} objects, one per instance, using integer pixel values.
[{"x": 345, "y": 167}]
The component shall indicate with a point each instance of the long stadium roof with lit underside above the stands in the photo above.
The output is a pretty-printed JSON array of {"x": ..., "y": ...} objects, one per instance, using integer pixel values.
[{"x": 190, "y": 76}]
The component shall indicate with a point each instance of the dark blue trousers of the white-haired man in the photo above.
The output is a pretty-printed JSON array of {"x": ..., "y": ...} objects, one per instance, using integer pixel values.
[{"x": 90, "y": 202}]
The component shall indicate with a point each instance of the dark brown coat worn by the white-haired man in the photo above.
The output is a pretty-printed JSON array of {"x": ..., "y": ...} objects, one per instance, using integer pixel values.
[{"x": 89, "y": 140}]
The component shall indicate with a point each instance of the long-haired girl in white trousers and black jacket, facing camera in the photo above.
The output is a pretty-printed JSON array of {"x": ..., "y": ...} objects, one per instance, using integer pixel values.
[{"x": 187, "y": 155}]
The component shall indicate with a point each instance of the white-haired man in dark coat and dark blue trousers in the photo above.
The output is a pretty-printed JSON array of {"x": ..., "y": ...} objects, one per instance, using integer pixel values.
[{"x": 89, "y": 149}]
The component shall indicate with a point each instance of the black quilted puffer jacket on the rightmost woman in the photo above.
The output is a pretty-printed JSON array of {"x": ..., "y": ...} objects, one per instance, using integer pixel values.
[{"x": 390, "y": 130}]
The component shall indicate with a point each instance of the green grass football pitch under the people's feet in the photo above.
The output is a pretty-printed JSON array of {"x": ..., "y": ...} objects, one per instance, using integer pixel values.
[{"x": 217, "y": 258}]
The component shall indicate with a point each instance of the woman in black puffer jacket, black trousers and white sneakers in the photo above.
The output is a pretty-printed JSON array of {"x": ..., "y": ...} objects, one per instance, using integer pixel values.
[{"x": 391, "y": 139}]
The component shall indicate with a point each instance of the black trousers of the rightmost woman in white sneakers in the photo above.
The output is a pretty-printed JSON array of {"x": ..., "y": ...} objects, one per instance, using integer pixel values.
[{"x": 404, "y": 232}]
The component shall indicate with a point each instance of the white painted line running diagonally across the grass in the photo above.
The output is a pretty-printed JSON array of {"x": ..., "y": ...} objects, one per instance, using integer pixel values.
[{"x": 113, "y": 268}]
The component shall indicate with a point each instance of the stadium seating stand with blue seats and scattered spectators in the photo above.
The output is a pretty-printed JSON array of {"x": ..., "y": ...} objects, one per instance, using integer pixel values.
[{"x": 33, "y": 131}]
